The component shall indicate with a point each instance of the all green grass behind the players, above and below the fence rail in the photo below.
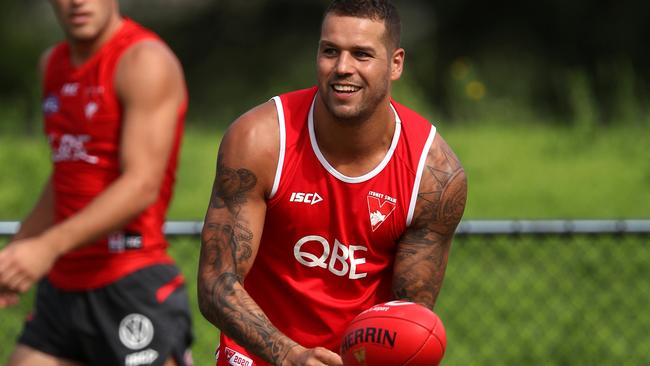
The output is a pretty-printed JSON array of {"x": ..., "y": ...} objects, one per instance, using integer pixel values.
[{"x": 556, "y": 300}]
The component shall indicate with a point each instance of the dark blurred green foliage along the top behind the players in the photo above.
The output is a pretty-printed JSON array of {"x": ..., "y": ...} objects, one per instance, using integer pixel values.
[{"x": 463, "y": 65}]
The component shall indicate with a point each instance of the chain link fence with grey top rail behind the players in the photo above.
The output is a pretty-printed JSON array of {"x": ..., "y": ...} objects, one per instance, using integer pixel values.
[{"x": 515, "y": 293}]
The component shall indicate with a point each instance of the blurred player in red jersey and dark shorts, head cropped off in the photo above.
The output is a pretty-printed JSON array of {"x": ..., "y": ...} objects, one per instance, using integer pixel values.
[{"x": 114, "y": 103}]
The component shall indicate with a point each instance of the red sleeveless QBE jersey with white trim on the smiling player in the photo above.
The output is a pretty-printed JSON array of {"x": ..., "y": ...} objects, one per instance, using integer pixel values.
[{"x": 329, "y": 240}]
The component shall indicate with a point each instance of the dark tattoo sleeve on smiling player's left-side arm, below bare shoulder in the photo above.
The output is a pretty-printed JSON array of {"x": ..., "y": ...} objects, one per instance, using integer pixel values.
[{"x": 227, "y": 245}]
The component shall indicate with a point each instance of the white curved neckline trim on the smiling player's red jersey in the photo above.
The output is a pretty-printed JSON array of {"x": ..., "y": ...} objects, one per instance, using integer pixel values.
[{"x": 336, "y": 173}]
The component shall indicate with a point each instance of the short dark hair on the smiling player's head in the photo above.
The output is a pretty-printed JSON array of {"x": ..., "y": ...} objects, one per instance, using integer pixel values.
[{"x": 382, "y": 10}]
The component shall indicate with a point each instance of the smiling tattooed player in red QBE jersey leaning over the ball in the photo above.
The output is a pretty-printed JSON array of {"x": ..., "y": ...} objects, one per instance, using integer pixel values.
[{"x": 327, "y": 201}]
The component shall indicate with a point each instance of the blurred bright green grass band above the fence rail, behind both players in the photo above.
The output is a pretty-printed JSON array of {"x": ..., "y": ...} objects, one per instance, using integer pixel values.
[{"x": 525, "y": 172}]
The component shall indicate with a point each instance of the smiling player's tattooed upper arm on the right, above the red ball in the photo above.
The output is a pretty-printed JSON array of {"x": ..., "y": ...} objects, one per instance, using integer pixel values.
[{"x": 423, "y": 250}]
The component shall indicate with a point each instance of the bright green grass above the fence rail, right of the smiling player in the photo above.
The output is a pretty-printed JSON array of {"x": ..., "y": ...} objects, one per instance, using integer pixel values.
[{"x": 536, "y": 172}]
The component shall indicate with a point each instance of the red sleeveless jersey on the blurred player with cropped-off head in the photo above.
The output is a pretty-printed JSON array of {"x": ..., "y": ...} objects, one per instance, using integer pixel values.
[{"x": 83, "y": 122}]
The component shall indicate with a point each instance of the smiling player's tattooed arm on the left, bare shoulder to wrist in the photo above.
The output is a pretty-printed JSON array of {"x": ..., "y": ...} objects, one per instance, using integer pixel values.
[{"x": 231, "y": 235}]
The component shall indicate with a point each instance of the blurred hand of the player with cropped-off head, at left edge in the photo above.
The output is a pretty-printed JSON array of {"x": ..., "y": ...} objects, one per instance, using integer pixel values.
[{"x": 22, "y": 263}]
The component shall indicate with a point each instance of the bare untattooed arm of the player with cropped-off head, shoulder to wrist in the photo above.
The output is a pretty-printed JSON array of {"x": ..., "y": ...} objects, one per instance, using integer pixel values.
[{"x": 149, "y": 84}]
